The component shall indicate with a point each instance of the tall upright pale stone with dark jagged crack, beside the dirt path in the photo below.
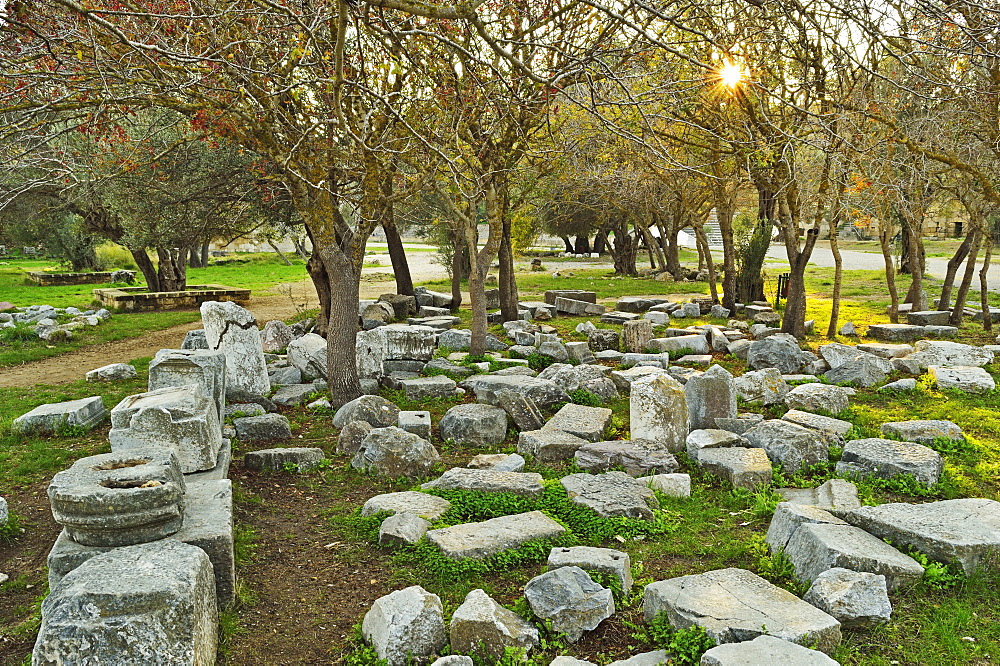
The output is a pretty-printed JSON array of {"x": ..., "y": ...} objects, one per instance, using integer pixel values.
[{"x": 232, "y": 329}]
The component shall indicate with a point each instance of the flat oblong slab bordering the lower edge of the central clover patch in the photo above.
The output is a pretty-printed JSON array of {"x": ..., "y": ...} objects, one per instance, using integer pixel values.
[{"x": 479, "y": 540}]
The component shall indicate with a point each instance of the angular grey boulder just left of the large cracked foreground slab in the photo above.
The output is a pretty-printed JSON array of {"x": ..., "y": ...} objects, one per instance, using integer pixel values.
[{"x": 570, "y": 599}]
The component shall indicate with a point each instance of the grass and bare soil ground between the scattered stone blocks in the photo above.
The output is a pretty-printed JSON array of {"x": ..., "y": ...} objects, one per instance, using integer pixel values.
[{"x": 304, "y": 529}]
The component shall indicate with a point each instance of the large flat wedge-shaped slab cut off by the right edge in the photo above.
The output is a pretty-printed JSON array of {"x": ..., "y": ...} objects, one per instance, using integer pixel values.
[{"x": 964, "y": 531}]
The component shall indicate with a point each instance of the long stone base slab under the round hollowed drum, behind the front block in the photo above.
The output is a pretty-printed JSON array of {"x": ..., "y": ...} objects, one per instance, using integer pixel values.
[{"x": 208, "y": 524}]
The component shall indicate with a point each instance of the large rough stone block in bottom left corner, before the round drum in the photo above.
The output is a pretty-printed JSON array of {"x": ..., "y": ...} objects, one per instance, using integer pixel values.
[{"x": 148, "y": 603}]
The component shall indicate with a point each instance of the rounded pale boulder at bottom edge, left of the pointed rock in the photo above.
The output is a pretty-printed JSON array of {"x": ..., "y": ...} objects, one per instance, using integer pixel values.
[{"x": 404, "y": 625}]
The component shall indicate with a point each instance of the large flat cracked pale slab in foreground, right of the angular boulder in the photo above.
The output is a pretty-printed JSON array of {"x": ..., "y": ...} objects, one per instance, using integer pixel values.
[{"x": 735, "y": 605}]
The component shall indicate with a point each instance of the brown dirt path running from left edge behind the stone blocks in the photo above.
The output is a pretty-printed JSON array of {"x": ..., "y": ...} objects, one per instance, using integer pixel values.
[{"x": 71, "y": 366}]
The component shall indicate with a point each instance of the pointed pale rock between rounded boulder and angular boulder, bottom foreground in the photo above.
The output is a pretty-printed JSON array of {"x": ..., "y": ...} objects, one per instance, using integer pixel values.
[{"x": 482, "y": 626}]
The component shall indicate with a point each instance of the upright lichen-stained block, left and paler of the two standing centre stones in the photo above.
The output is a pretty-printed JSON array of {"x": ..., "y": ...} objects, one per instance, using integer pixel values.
[{"x": 658, "y": 411}]
